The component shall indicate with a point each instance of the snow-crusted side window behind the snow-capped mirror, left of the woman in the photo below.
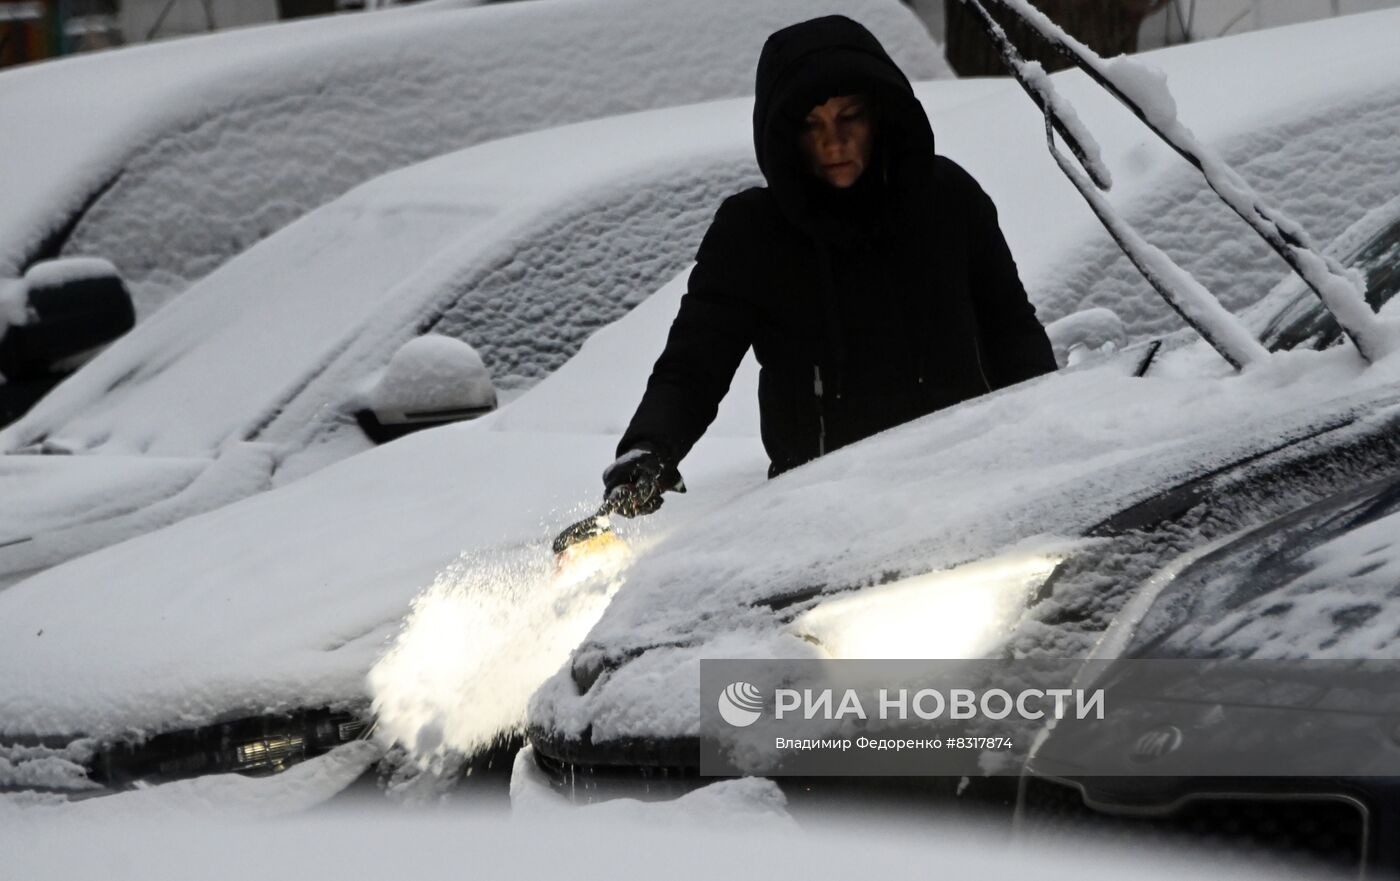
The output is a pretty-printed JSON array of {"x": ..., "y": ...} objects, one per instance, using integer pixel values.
[{"x": 530, "y": 313}]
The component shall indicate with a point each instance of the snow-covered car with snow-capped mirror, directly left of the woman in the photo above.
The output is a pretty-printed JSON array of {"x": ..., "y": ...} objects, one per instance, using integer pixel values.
[{"x": 299, "y": 352}]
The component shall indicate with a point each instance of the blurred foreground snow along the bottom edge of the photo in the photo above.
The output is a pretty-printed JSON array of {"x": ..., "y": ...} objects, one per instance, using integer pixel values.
[{"x": 727, "y": 830}]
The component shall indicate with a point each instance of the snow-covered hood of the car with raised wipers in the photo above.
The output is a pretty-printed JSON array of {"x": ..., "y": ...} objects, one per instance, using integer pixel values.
[{"x": 1014, "y": 476}]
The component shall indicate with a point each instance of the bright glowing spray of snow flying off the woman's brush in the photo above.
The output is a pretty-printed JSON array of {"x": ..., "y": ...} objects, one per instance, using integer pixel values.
[{"x": 478, "y": 644}]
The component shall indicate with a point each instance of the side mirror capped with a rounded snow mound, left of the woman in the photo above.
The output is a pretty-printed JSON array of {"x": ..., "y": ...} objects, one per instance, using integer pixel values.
[{"x": 430, "y": 382}]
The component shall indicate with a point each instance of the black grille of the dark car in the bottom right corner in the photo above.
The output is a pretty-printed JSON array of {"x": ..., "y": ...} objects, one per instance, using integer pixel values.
[{"x": 1326, "y": 831}]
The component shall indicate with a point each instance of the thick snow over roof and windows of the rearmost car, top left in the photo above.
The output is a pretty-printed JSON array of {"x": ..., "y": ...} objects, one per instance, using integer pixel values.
[{"x": 192, "y": 151}]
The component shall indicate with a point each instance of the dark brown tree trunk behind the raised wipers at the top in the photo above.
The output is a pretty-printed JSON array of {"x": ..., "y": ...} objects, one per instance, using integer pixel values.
[{"x": 1109, "y": 27}]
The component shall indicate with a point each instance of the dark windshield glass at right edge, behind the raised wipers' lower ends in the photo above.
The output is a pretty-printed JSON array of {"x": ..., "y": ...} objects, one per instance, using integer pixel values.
[{"x": 1293, "y": 317}]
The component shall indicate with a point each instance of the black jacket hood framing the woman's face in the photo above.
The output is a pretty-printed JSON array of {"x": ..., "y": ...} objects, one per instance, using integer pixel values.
[{"x": 806, "y": 65}]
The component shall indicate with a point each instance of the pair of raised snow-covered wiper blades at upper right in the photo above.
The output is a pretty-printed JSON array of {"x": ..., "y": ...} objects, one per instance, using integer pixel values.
[{"x": 1143, "y": 92}]
